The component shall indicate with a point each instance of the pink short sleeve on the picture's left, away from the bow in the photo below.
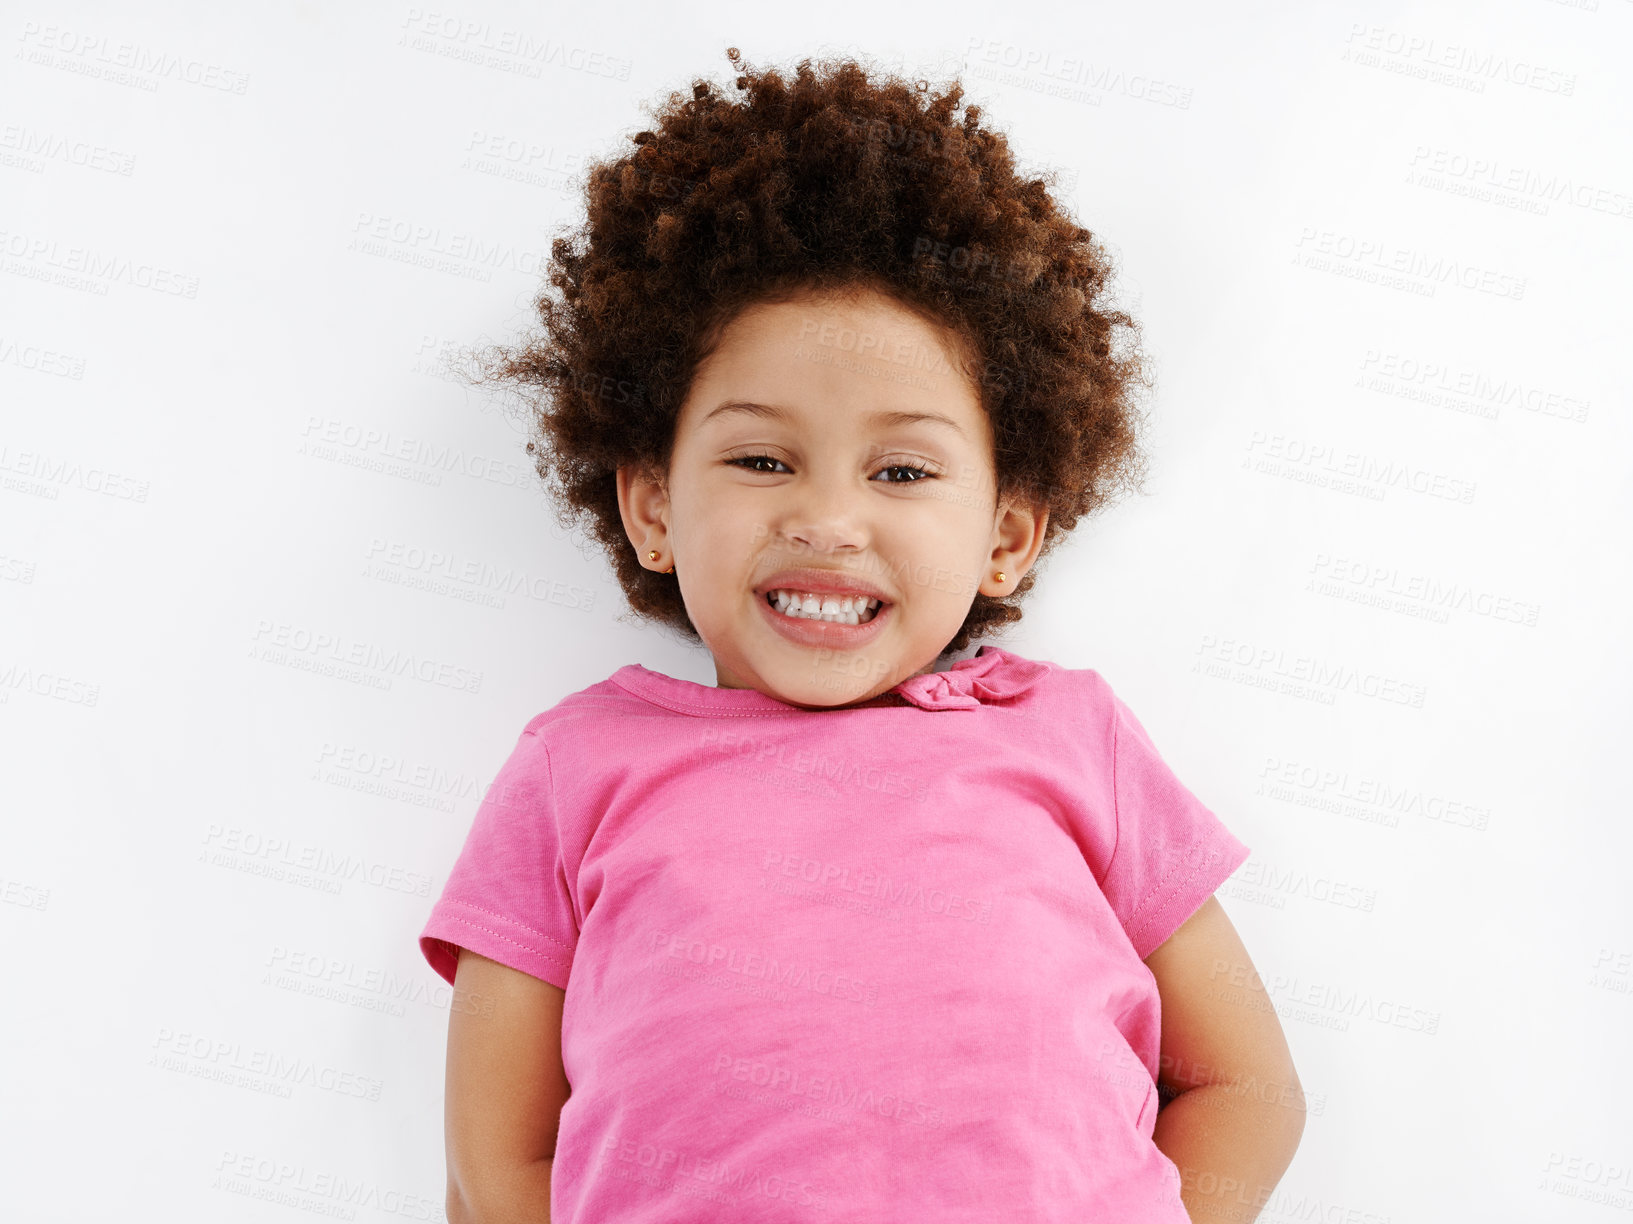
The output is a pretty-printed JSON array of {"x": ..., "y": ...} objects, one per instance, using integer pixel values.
[{"x": 509, "y": 897}]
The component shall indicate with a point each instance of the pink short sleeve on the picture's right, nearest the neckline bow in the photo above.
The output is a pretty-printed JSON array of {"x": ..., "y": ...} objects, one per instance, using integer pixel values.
[{"x": 1172, "y": 851}]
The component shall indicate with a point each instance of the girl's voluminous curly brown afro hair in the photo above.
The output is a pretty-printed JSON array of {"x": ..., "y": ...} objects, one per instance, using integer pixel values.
[{"x": 825, "y": 184}]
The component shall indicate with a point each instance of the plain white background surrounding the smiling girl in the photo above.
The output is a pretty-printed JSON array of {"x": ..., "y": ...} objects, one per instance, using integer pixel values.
[{"x": 1368, "y": 613}]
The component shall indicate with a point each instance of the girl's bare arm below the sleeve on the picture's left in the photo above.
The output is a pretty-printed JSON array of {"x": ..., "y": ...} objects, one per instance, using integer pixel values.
[{"x": 505, "y": 1094}]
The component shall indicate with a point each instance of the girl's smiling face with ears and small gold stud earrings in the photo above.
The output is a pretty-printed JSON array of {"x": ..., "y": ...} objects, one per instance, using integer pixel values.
[{"x": 794, "y": 450}]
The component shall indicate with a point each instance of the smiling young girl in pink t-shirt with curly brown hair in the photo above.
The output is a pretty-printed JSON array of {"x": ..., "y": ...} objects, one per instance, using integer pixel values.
[{"x": 852, "y": 934}]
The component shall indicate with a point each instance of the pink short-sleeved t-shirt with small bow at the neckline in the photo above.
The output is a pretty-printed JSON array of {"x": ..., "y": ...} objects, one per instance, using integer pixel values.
[{"x": 845, "y": 965}]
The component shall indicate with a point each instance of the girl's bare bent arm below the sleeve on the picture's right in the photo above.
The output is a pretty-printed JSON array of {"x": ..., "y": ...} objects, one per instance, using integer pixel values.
[{"x": 1235, "y": 1124}]
